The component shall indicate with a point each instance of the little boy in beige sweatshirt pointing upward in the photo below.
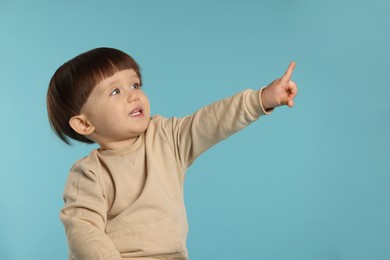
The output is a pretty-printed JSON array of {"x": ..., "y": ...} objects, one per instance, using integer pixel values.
[{"x": 125, "y": 199}]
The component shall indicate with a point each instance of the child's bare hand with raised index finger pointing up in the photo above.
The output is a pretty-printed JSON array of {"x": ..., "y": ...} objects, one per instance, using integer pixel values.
[{"x": 281, "y": 91}]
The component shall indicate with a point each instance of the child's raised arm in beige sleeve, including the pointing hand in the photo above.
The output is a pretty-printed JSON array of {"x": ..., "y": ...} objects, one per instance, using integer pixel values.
[{"x": 194, "y": 134}]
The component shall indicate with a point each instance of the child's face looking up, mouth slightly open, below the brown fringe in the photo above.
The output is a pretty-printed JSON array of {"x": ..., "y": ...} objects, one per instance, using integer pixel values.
[{"x": 118, "y": 110}]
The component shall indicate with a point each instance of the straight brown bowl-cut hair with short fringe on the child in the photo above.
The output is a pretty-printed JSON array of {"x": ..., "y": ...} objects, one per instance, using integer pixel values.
[{"x": 73, "y": 82}]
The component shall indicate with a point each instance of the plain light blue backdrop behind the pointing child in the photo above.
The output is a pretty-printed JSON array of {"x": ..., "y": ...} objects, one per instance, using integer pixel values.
[{"x": 312, "y": 182}]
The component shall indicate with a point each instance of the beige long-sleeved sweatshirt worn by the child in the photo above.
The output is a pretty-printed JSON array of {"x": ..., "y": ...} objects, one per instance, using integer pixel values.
[{"x": 129, "y": 203}]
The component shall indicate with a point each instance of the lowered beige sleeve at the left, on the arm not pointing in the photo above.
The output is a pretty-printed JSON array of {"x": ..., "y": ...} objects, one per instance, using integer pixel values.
[{"x": 84, "y": 217}]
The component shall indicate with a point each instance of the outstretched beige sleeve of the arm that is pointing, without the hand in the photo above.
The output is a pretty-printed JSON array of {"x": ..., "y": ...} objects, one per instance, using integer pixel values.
[{"x": 194, "y": 134}]
